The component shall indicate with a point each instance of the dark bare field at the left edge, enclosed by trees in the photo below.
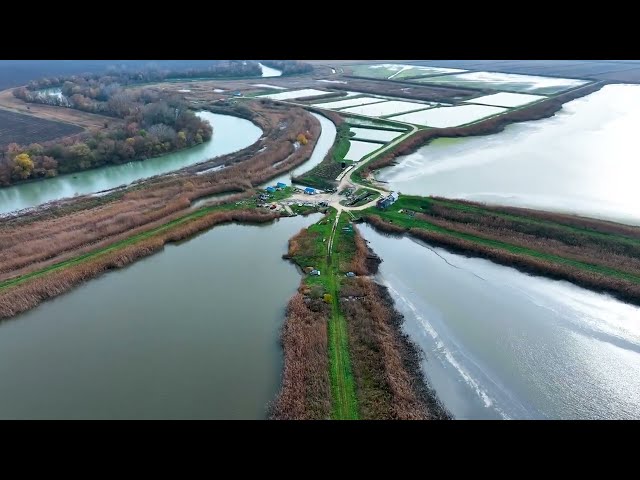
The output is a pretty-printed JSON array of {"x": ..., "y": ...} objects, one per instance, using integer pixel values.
[{"x": 26, "y": 129}]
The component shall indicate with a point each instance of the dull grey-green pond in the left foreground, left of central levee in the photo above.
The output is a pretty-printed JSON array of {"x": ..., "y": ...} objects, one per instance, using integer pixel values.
[{"x": 190, "y": 332}]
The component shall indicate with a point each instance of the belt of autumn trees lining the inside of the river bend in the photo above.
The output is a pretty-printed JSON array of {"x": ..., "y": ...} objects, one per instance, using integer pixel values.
[{"x": 154, "y": 124}]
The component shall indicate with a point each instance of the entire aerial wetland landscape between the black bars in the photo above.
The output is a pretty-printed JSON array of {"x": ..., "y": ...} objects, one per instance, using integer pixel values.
[{"x": 319, "y": 239}]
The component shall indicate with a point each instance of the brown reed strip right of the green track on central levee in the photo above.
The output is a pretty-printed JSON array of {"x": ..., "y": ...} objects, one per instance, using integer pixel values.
[{"x": 384, "y": 364}]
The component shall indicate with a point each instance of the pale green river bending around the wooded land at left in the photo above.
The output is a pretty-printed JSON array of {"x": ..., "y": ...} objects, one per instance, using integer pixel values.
[{"x": 229, "y": 135}]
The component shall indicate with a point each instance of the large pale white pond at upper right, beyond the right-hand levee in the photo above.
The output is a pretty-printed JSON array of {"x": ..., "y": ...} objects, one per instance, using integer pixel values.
[{"x": 582, "y": 160}]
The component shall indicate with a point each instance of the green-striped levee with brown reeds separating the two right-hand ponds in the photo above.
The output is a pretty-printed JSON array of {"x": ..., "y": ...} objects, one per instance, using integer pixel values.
[{"x": 588, "y": 256}]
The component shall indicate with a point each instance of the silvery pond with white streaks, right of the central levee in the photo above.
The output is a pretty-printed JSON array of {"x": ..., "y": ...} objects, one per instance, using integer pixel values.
[{"x": 502, "y": 344}]
